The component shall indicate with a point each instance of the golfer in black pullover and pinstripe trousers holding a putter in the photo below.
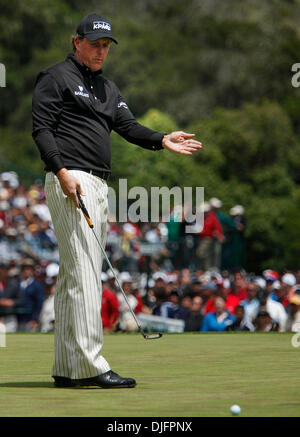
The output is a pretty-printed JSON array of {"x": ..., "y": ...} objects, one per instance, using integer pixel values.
[{"x": 74, "y": 110}]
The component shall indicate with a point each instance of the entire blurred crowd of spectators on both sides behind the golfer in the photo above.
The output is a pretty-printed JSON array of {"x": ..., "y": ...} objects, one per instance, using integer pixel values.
[{"x": 182, "y": 279}]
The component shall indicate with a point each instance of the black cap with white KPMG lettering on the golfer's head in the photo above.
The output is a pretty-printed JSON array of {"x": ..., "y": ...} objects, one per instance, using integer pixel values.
[{"x": 94, "y": 27}]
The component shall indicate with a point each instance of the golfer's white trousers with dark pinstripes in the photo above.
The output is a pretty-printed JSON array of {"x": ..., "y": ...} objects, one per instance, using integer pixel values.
[{"x": 78, "y": 296}]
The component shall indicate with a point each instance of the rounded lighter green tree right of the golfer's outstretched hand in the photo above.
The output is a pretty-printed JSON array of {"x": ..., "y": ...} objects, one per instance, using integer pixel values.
[{"x": 253, "y": 150}]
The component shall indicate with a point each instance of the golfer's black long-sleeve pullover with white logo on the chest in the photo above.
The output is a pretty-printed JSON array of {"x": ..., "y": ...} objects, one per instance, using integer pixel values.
[{"x": 74, "y": 111}]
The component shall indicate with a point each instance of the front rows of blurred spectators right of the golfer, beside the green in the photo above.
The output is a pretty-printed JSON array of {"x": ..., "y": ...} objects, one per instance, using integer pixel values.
[{"x": 211, "y": 301}]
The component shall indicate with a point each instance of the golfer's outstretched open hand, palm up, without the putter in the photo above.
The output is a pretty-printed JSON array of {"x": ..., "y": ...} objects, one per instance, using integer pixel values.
[{"x": 181, "y": 142}]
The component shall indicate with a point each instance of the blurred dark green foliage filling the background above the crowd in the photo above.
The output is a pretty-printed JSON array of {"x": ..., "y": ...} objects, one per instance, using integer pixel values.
[{"x": 219, "y": 69}]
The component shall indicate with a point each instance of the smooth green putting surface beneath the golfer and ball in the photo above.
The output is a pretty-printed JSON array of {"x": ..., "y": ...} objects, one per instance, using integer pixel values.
[{"x": 178, "y": 375}]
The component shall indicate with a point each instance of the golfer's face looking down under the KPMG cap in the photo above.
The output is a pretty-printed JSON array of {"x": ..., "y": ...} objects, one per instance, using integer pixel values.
[{"x": 92, "y": 53}]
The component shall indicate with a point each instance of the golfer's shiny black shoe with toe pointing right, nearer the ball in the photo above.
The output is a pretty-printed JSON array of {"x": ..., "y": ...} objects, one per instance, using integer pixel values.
[{"x": 108, "y": 379}]
